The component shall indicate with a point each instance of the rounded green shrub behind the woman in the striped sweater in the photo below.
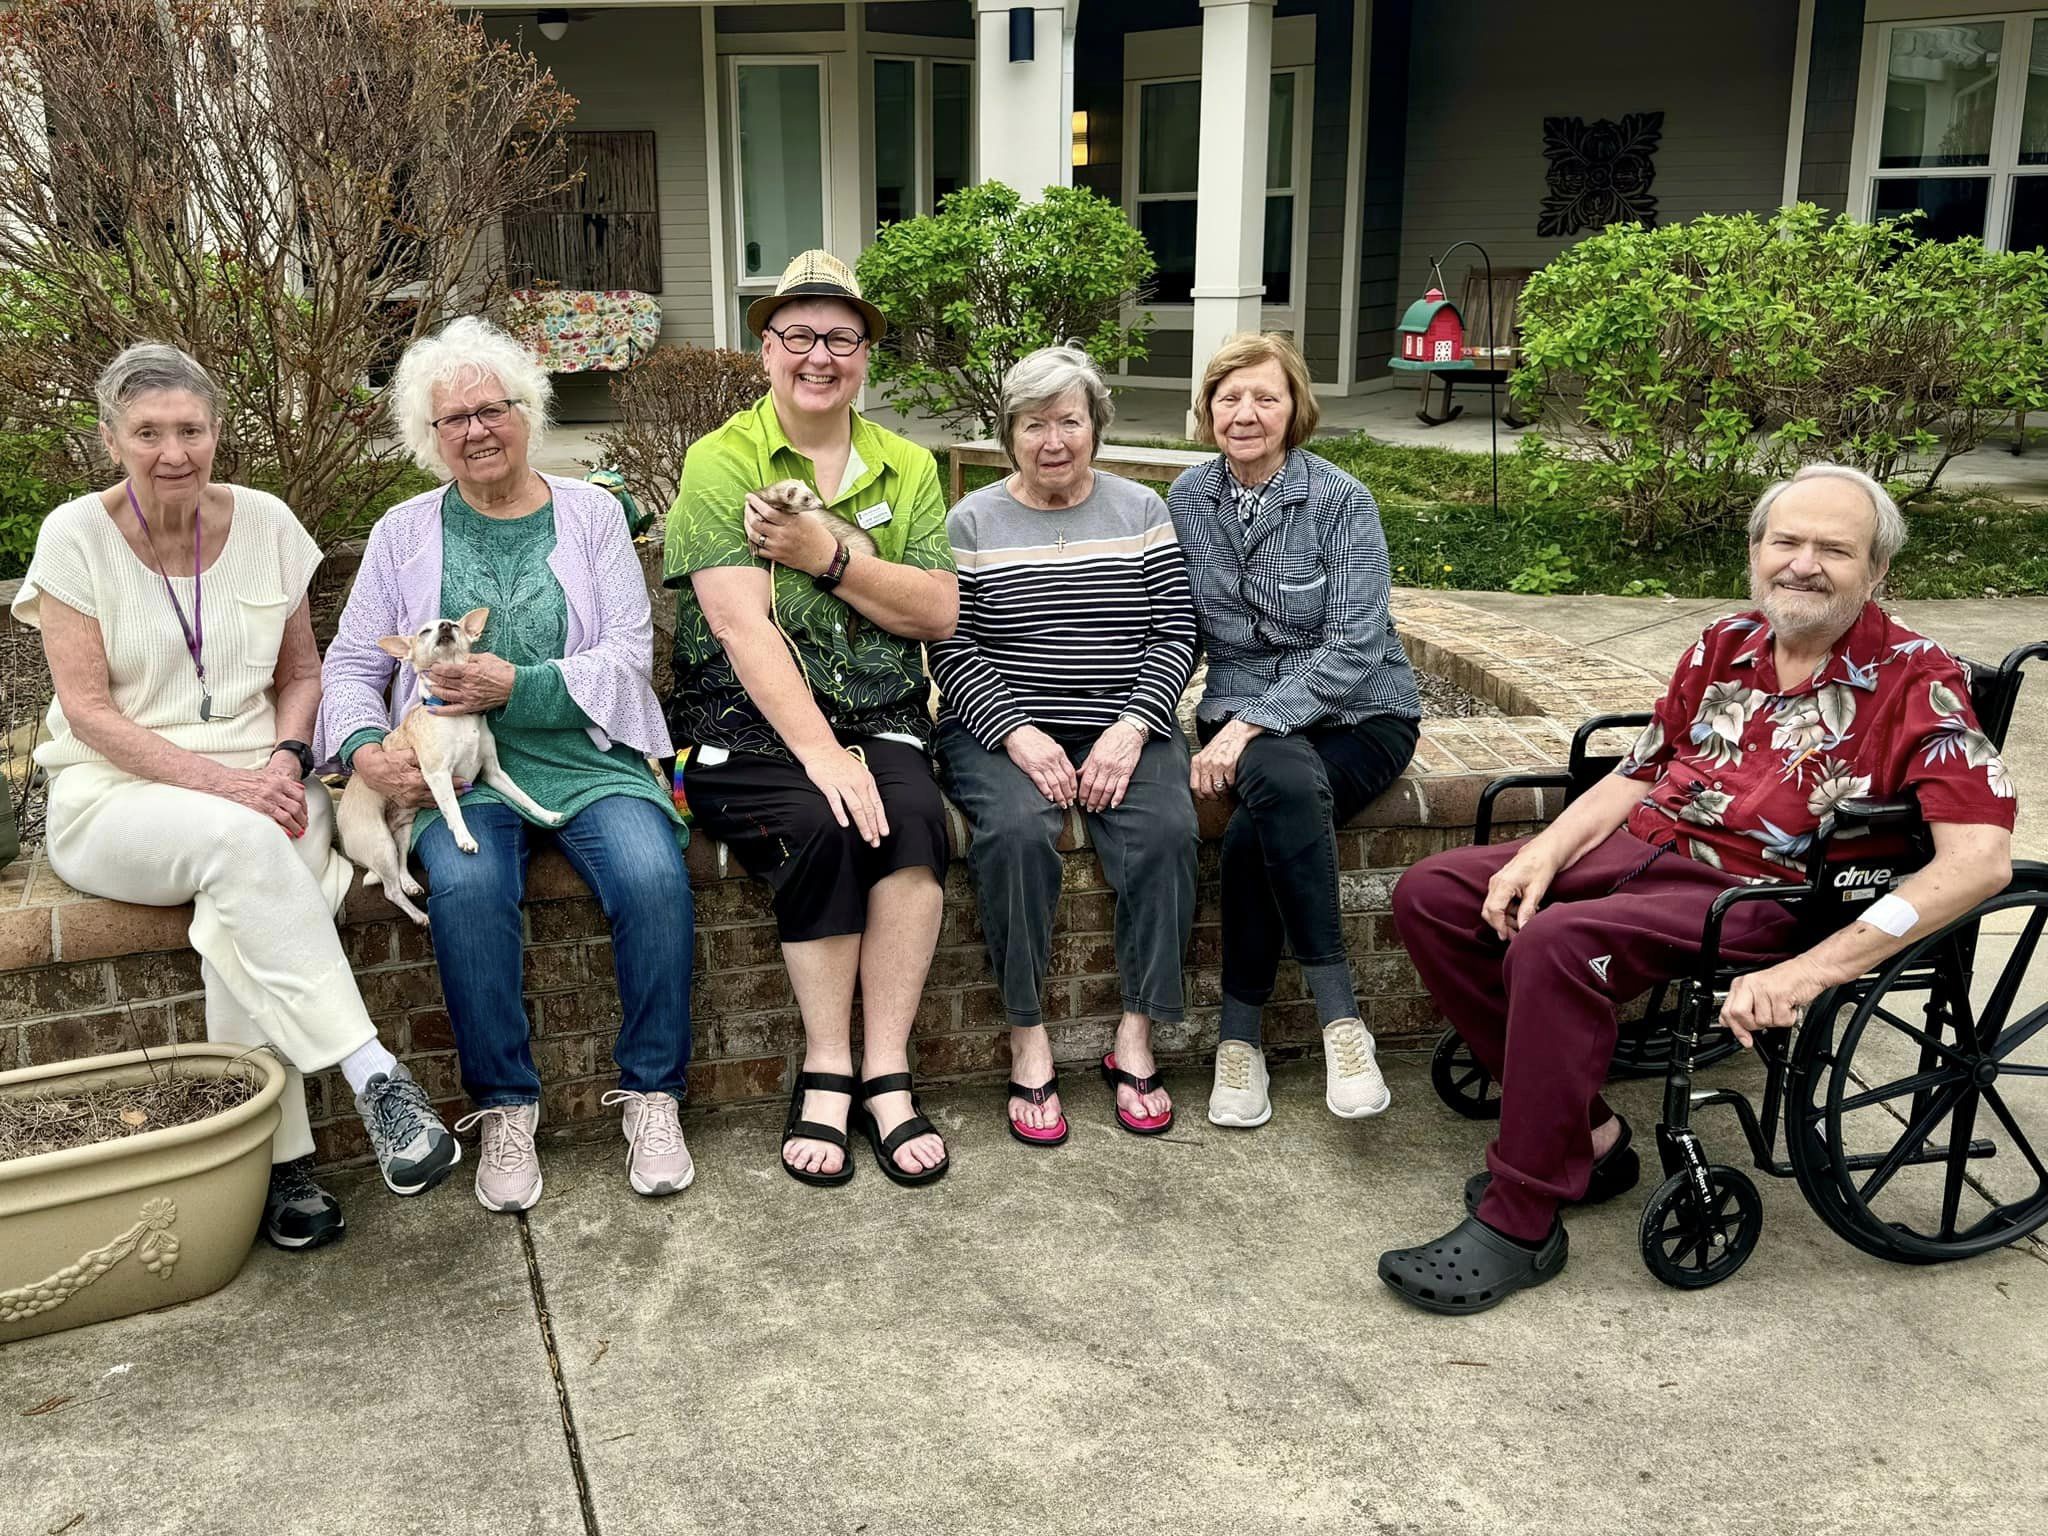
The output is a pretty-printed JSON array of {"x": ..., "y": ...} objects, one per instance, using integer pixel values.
[{"x": 988, "y": 280}]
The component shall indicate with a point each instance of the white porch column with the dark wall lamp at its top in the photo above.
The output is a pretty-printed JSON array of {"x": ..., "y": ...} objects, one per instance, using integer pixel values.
[{"x": 1025, "y": 110}]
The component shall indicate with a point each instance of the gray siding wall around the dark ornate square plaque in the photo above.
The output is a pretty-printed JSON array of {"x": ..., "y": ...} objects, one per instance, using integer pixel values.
[{"x": 1486, "y": 75}]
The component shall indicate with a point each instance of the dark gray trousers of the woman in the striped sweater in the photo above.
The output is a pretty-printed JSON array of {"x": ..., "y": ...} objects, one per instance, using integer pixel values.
[{"x": 1148, "y": 857}]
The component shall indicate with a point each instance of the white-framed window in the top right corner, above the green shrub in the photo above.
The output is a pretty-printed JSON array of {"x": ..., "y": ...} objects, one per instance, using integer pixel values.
[{"x": 1961, "y": 132}]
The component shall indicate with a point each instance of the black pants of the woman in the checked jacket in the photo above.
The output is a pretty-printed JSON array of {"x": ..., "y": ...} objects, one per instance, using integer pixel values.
[{"x": 1281, "y": 847}]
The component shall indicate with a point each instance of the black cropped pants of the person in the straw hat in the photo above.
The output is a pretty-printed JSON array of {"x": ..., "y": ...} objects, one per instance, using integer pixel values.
[{"x": 781, "y": 828}]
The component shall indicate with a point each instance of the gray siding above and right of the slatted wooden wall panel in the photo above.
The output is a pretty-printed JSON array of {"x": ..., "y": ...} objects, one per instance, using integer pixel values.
[{"x": 644, "y": 71}]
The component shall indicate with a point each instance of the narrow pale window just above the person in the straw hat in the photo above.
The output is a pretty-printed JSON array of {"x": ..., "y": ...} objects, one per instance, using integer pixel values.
[{"x": 779, "y": 128}]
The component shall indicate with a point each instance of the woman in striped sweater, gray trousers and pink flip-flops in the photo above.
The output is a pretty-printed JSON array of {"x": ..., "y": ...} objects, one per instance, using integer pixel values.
[{"x": 1060, "y": 693}]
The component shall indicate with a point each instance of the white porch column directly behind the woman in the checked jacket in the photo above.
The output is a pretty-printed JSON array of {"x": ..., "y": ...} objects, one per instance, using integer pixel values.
[{"x": 1230, "y": 212}]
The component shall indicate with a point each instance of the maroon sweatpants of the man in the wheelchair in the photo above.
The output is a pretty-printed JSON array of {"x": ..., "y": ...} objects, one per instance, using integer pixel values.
[{"x": 1539, "y": 1011}]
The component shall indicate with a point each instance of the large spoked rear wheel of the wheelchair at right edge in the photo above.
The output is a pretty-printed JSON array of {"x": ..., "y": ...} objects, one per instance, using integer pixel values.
[{"x": 1920, "y": 1115}]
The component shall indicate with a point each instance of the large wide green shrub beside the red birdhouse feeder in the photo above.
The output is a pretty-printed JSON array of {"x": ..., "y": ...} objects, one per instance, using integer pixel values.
[{"x": 1699, "y": 359}]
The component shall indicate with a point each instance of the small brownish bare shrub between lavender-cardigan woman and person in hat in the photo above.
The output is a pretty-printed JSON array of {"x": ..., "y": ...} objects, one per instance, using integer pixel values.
[{"x": 667, "y": 402}]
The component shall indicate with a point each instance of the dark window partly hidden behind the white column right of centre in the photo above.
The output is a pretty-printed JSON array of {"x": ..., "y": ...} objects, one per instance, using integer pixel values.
[{"x": 1168, "y": 155}]
